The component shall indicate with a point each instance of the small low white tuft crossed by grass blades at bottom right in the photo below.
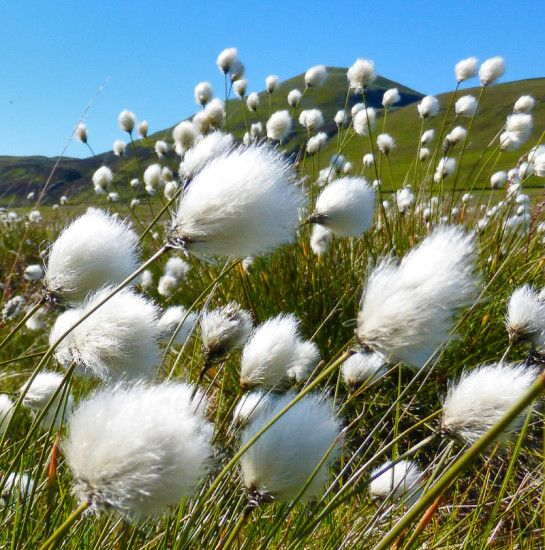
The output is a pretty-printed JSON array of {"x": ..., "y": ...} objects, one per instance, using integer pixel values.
[{"x": 403, "y": 481}]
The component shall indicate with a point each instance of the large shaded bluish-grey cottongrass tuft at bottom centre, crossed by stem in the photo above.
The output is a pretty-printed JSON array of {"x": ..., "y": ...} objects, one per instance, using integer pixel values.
[{"x": 282, "y": 460}]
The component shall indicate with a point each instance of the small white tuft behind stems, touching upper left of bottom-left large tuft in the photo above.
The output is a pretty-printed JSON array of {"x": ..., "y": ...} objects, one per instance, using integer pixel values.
[{"x": 38, "y": 393}]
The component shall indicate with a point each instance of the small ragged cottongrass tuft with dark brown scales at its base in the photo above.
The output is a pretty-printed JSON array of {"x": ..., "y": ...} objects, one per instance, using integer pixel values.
[{"x": 223, "y": 330}]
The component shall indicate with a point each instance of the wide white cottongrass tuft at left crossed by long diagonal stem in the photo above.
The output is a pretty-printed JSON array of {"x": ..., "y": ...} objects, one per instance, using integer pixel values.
[{"x": 120, "y": 340}]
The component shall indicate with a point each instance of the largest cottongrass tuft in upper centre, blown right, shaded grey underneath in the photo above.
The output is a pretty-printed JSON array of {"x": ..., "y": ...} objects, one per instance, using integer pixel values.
[{"x": 243, "y": 203}]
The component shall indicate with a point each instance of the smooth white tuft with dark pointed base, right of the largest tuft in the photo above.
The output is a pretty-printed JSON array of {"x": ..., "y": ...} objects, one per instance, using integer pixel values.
[{"x": 345, "y": 206}]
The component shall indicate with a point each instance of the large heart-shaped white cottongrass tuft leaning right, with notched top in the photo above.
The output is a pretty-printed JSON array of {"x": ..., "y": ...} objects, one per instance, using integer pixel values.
[{"x": 407, "y": 310}]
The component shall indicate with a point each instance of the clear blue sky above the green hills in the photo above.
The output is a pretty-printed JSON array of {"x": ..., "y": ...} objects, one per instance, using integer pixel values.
[{"x": 56, "y": 54}]
